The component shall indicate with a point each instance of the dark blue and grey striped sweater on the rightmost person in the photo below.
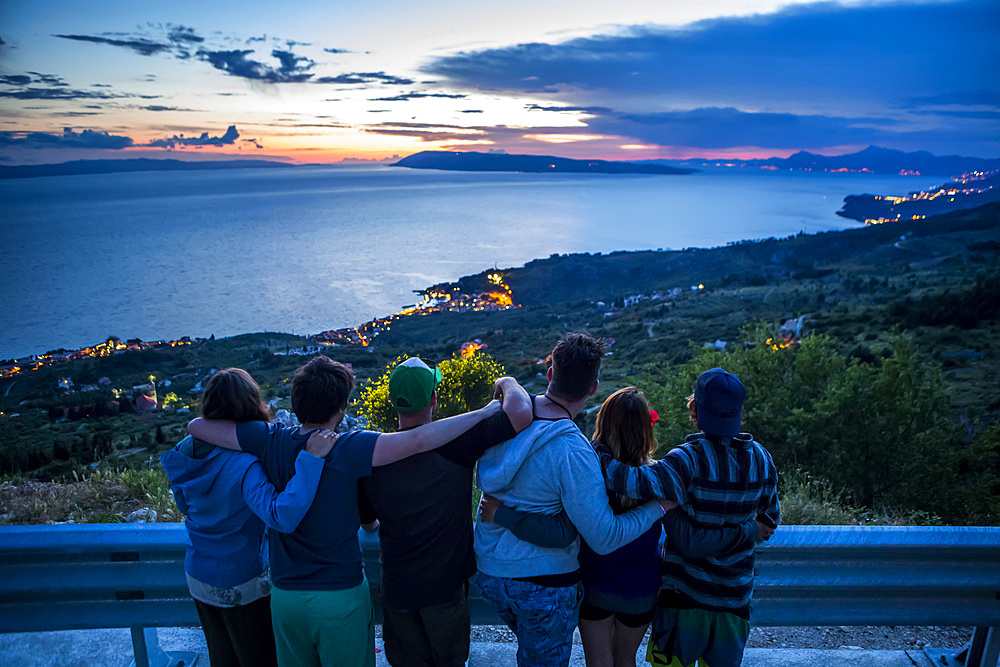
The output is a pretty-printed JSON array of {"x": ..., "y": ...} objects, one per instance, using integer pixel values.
[{"x": 717, "y": 482}]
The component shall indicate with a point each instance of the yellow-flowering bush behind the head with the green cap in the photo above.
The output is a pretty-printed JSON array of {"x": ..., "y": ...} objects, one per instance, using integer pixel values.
[{"x": 466, "y": 384}]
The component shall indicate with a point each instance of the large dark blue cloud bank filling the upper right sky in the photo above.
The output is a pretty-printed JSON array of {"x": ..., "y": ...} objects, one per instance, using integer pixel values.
[{"x": 823, "y": 52}]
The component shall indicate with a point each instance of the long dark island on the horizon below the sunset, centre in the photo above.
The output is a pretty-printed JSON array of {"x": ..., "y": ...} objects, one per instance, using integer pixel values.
[{"x": 472, "y": 161}]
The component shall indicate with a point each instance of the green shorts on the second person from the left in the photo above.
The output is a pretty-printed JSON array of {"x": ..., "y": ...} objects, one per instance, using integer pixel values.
[{"x": 327, "y": 628}]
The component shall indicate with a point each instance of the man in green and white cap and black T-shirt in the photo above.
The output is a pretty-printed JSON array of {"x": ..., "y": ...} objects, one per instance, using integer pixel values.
[{"x": 424, "y": 507}]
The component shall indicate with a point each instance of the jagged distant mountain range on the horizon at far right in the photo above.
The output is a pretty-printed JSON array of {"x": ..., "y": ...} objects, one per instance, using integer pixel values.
[{"x": 873, "y": 159}]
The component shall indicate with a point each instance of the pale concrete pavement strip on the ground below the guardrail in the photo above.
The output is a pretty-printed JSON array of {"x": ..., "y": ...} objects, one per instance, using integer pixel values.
[{"x": 113, "y": 648}]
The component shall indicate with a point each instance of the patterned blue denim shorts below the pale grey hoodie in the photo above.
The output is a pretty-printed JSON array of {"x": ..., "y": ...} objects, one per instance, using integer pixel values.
[{"x": 543, "y": 618}]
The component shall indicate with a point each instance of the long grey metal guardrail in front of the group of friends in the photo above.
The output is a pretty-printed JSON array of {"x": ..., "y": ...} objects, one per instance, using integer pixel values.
[{"x": 132, "y": 576}]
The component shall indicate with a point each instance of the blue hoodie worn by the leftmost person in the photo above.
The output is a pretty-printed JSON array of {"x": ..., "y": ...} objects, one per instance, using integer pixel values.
[{"x": 227, "y": 500}]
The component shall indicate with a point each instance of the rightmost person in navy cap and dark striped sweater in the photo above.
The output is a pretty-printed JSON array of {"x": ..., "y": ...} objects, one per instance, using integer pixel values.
[{"x": 719, "y": 477}]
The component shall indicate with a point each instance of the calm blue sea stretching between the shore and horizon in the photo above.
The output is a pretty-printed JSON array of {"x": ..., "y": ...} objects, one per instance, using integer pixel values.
[{"x": 168, "y": 254}]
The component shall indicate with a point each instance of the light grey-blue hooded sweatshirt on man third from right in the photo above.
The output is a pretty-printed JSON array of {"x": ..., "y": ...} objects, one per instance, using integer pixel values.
[{"x": 547, "y": 468}]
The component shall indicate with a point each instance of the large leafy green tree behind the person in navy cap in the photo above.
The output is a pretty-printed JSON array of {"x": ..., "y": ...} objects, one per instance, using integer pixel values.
[{"x": 881, "y": 431}]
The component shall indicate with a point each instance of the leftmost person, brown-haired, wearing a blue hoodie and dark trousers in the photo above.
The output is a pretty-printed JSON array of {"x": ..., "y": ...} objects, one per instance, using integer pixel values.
[{"x": 227, "y": 501}]
